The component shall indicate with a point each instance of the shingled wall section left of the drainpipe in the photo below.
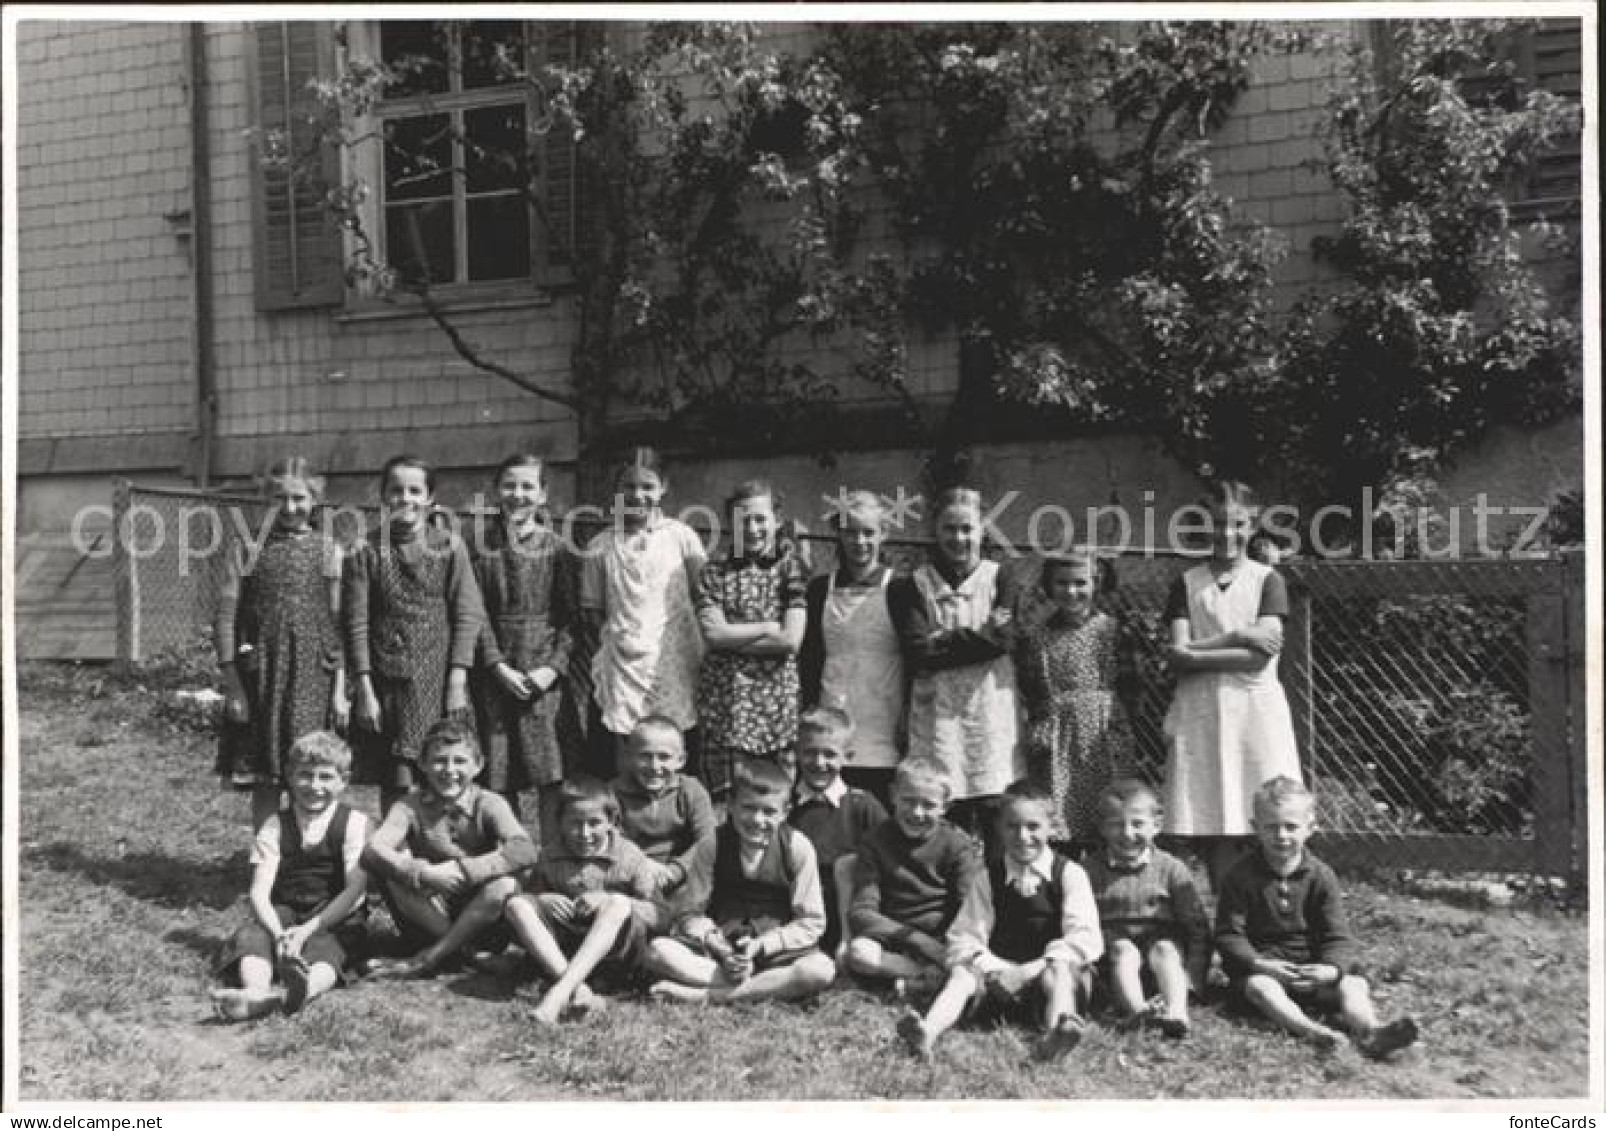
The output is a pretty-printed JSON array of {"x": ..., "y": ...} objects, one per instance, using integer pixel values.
[{"x": 104, "y": 279}]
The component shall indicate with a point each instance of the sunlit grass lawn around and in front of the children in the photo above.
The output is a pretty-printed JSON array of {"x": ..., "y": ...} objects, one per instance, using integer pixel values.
[{"x": 134, "y": 870}]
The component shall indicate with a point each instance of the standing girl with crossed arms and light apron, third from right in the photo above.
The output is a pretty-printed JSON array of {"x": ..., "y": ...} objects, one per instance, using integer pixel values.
[{"x": 955, "y": 624}]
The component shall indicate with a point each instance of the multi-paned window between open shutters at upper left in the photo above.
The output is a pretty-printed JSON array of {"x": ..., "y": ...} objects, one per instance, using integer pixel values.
[{"x": 462, "y": 150}]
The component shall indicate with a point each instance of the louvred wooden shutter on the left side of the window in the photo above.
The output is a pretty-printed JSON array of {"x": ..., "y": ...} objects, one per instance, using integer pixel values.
[{"x": 298, "y": 250}]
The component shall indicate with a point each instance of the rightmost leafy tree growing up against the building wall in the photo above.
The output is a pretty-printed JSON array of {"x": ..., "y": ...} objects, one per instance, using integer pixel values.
[{"x": 1438, "y": 327}]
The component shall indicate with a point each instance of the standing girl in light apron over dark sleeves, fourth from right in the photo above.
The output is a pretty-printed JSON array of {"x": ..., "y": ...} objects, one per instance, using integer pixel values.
[{"x": 850, "y": 656}]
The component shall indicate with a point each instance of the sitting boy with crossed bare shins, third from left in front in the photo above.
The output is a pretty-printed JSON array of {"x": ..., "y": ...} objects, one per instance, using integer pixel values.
[{"x": 585, "y": 900}]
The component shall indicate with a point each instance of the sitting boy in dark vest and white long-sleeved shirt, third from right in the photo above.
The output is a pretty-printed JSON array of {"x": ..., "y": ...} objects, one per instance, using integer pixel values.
[{"x": 1025, "y": 939}]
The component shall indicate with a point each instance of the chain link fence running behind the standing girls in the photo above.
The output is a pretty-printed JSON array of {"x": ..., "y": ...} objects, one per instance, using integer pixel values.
[{"x": 1438, "y": 704}]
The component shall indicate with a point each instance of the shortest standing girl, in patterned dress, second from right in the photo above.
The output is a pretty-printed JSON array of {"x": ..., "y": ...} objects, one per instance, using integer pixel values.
[{"x": 1067, "y": 658}]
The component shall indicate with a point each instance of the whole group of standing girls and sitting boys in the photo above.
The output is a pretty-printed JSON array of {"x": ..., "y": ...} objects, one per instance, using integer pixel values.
[{"x": 638, "y": 688}]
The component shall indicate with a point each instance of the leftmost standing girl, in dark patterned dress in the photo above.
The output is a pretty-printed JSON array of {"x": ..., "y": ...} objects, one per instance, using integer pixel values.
[{"x": 279, "y": 640}]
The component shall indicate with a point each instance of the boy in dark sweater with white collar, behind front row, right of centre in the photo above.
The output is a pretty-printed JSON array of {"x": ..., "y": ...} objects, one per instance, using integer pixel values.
[{"x": 831, "y": 814}]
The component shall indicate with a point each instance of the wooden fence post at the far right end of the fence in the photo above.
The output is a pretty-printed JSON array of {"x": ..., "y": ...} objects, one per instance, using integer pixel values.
[{"x": 1547, "y": 704}]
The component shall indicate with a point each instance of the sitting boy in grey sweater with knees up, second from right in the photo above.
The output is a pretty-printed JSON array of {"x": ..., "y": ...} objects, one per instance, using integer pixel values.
[{"x": 1151, "y": 912}]
